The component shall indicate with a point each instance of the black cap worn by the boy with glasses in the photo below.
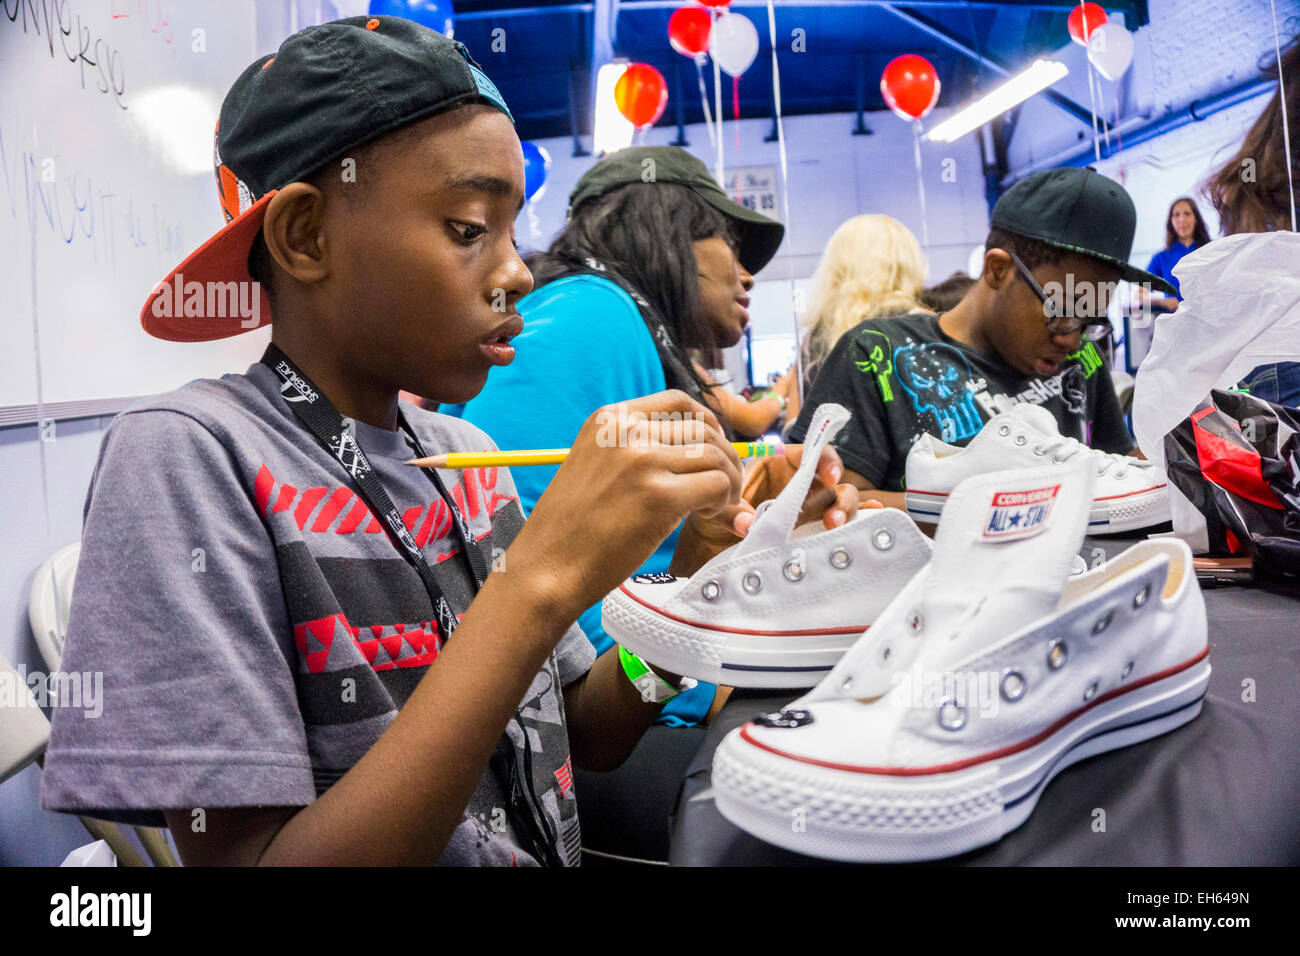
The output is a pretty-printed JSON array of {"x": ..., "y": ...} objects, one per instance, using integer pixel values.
[{"x": 1081, "y": 211}]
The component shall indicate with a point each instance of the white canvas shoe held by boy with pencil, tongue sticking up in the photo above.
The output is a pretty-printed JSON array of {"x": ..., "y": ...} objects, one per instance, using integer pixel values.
[{"x": 782, "y": 607}]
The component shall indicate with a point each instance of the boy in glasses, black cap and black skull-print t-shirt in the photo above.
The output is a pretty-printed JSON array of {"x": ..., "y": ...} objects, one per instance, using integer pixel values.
[{"x": 1024, "y": 334}]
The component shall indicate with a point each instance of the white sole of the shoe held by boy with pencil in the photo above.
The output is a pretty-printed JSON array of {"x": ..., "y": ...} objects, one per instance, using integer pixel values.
[{"x": 731, "y": 657}]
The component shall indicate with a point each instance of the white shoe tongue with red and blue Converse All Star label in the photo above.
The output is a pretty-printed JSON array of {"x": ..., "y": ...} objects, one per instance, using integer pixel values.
[{"x": 1012, "y": 537}]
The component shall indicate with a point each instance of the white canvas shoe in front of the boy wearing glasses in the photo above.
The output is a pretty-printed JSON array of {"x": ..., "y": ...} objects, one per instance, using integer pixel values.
[{"x": 1130, "y": 494}]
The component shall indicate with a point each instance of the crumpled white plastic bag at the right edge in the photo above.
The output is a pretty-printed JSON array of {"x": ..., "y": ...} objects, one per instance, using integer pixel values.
[{"x": 1241, "y": 309}]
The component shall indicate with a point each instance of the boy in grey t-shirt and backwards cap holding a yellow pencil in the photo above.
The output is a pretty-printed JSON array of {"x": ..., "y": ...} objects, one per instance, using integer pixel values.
[{"x": 294, "y": 672}]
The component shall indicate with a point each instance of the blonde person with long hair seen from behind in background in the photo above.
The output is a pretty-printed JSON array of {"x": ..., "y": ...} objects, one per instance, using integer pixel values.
[{"x": 873, "y": 267}]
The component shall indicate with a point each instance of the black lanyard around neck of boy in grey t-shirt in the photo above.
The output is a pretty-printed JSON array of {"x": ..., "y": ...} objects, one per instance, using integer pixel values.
[{"x": 326, "y": 423}]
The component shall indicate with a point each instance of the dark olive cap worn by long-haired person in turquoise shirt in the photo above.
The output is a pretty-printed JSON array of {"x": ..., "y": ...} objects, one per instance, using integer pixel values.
[{"x": 760, "y": 236}]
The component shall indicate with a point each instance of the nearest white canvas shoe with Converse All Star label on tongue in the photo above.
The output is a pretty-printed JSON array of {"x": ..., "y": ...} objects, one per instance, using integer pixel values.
[{"x": 990, "y": 674}]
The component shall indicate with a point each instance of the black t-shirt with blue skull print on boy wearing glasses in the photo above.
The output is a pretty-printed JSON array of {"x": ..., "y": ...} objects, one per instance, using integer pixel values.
[{"x": 904, "y": 377}]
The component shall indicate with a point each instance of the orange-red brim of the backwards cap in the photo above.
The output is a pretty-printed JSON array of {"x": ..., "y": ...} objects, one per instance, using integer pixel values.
[{"x": 214, "y": 314}]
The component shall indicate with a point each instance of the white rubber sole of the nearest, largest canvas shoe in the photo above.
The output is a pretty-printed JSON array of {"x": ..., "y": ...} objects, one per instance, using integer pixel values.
[{"x": 872, "y": 817}]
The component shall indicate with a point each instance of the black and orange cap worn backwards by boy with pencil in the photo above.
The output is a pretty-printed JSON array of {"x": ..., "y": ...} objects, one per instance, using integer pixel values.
[{"x": 327, "y": 90}]
